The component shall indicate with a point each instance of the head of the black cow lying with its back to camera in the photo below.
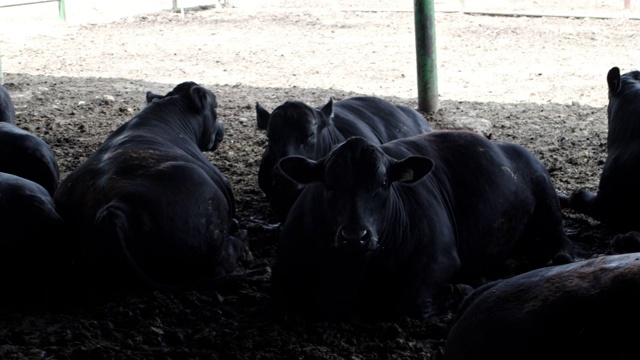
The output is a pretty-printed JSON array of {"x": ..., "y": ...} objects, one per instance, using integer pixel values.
[{"x": 196, "y": 99}]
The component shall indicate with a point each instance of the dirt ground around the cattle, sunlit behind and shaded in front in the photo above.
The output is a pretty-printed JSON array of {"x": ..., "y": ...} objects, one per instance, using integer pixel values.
[{"x": 537, "y": 81}]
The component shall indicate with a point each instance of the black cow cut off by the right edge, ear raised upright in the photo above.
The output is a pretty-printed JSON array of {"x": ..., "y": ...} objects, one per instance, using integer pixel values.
[{"x": 618, "y": 195}]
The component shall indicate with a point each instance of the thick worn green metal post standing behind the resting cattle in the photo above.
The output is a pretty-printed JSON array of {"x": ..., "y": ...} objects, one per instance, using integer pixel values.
[{"x": 426, "y": 55}]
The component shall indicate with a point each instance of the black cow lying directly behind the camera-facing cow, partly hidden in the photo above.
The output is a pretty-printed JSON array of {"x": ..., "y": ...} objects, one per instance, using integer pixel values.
[{"x": 295, "y": 128}]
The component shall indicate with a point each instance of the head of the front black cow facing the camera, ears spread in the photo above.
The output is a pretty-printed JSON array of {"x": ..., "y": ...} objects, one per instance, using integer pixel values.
[{"x": 359, "y": 184}]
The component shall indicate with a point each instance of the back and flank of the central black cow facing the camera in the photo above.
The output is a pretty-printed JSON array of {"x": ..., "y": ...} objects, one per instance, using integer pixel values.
[{"x": 474, "y": 174}]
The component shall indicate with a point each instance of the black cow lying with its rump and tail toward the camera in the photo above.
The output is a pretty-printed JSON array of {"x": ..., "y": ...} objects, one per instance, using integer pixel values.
[{"x": 147, "y": 205}]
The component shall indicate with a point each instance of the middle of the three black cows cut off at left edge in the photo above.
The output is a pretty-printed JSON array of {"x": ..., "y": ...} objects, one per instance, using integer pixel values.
[{"x": 26, "y": 155}]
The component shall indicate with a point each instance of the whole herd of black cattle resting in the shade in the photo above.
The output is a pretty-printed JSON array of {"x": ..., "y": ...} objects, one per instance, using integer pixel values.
[{"x": 382, "y": 217}]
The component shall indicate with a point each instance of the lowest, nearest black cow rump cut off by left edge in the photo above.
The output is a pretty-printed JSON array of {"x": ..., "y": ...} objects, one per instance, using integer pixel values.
[{"x": 32, "y": 256}]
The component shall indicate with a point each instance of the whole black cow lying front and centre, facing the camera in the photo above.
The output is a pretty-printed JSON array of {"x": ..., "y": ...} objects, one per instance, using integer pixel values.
[{"x": 386, "y": 229}]
